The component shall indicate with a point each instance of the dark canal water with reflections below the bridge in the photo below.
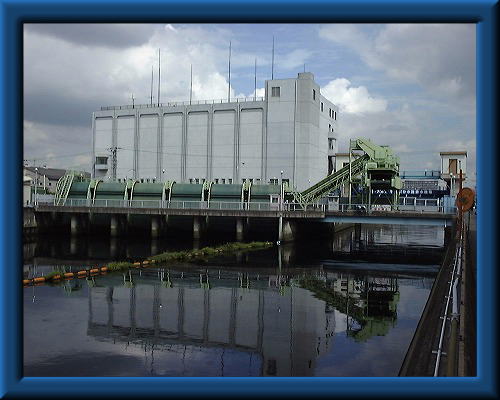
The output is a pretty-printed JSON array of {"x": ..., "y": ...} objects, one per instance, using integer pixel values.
[{"x": 344, "y": 307}]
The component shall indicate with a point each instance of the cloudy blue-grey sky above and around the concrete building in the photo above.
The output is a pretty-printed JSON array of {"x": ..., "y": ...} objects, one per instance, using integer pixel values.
[{"x": 411, "y": 86}]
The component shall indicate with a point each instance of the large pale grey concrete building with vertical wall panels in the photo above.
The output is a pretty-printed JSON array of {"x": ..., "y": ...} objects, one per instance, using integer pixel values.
[{"x": 290, "y": 134}]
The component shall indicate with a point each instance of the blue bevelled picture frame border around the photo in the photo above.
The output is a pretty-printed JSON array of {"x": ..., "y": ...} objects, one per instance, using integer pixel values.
[{"x": 14, "y": 13}]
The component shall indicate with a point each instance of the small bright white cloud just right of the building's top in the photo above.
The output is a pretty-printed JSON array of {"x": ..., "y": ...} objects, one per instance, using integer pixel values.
[{"x": 352, "y": 100}]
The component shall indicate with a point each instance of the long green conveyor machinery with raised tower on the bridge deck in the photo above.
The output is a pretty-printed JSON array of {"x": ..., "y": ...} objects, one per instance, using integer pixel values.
[{"x": 376, "y": 169}]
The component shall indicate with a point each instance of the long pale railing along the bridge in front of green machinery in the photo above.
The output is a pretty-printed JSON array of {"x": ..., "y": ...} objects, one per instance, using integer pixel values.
[{"x": 255, "y": 206}]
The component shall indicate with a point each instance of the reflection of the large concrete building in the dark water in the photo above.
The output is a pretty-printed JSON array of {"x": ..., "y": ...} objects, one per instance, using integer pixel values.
[{"x": 288, "y": 328}]
